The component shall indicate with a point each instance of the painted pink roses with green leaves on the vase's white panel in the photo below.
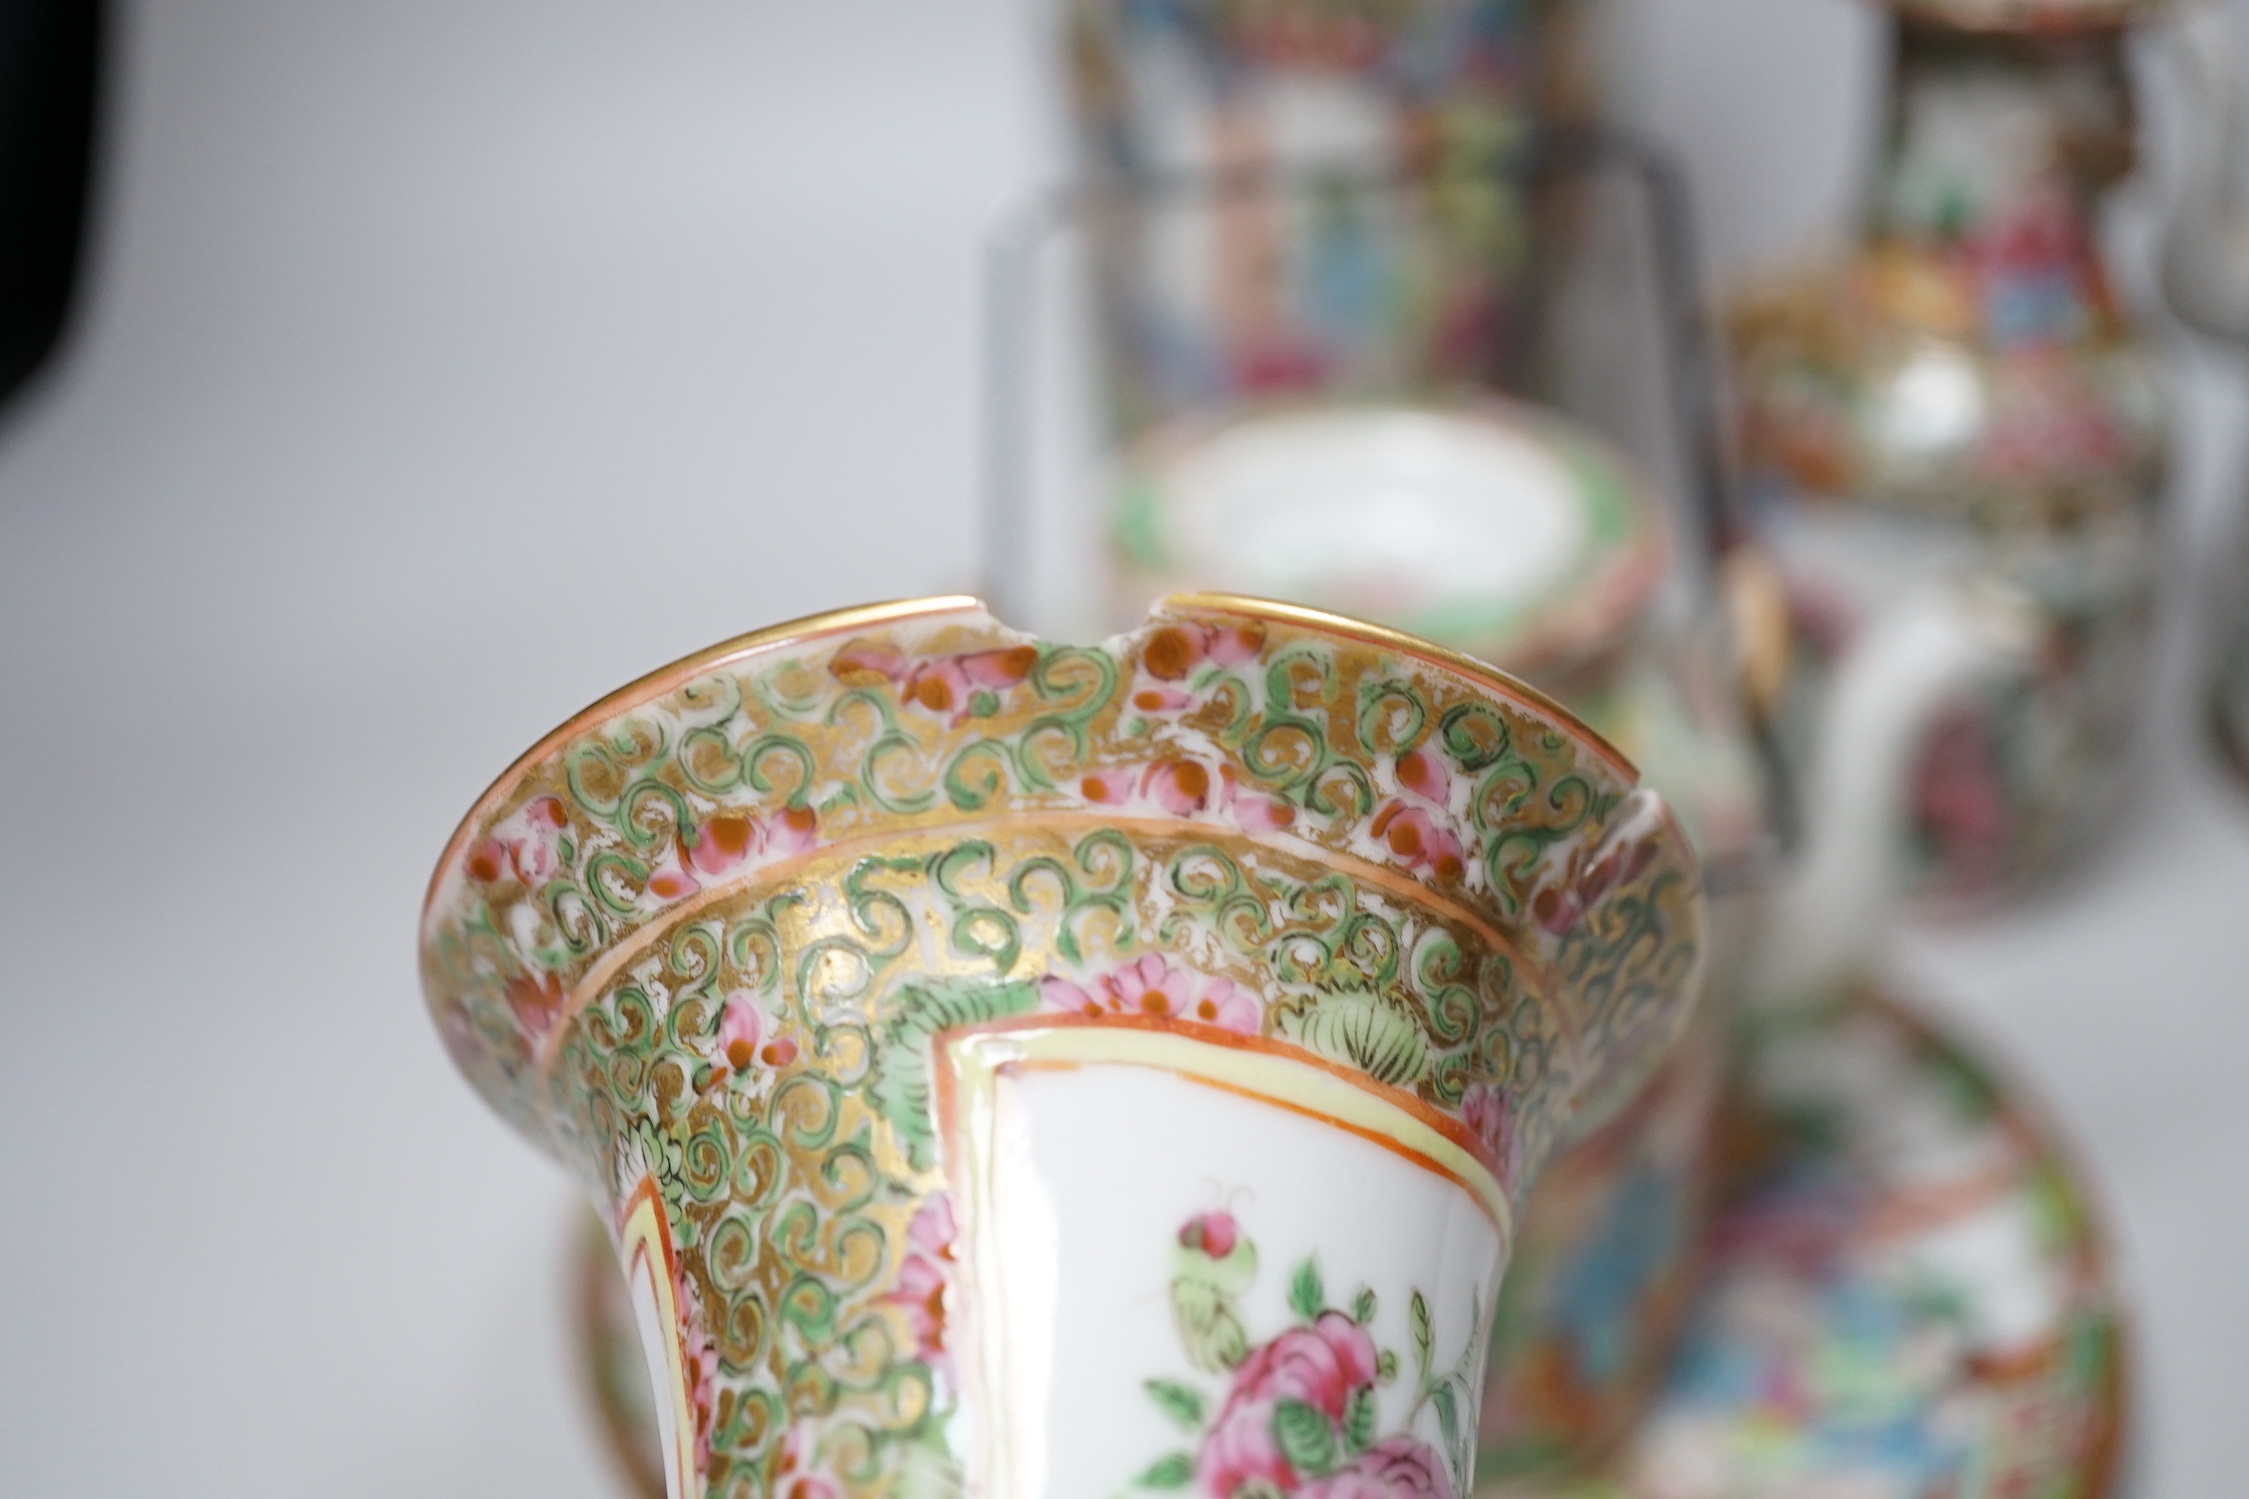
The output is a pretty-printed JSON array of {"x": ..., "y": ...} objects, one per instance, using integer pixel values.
[{"x": 1299, "y": 1412}]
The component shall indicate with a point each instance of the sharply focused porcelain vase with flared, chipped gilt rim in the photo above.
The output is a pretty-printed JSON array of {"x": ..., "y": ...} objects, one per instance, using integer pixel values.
[{"x": 1013, "y": 1069}]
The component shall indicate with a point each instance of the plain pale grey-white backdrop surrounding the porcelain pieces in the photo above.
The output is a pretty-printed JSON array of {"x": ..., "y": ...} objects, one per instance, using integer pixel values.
[{"x": 451, "y": 363}]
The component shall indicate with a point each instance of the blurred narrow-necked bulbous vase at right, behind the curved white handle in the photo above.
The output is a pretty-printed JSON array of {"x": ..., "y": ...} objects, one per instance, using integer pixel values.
[{"x": 1965, "y": 397}]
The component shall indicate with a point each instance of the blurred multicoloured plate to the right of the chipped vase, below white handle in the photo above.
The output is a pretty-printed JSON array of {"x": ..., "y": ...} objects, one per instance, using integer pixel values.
[{"x": 1906, "y": 1300}]
